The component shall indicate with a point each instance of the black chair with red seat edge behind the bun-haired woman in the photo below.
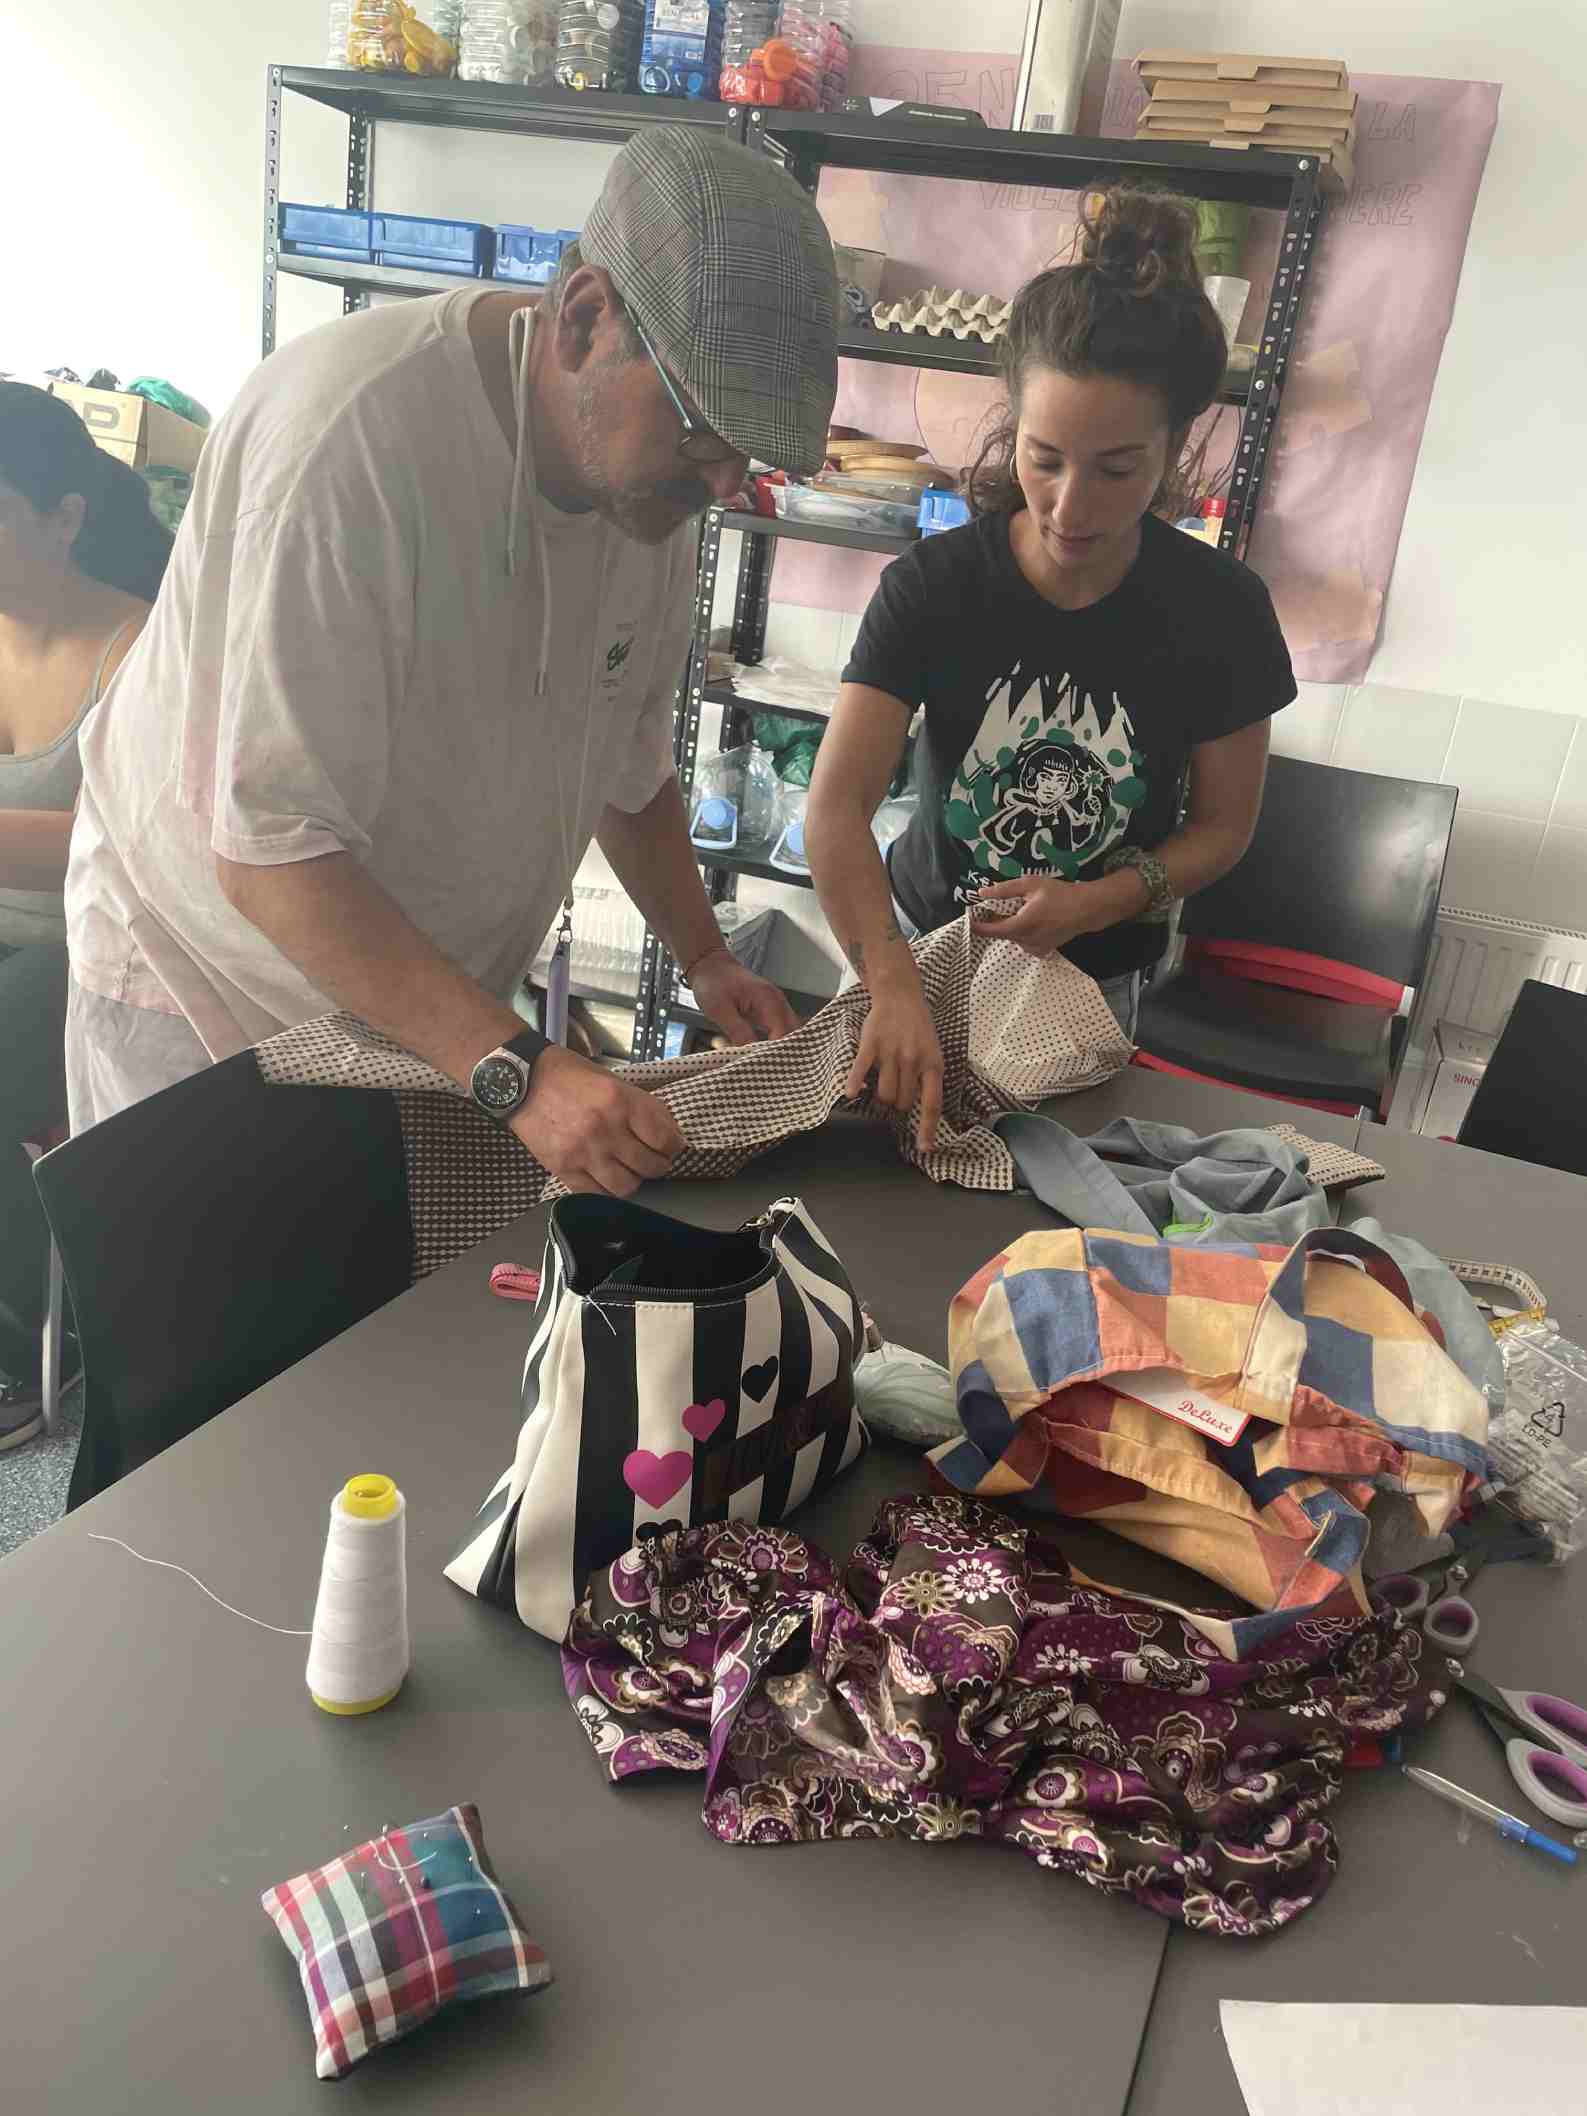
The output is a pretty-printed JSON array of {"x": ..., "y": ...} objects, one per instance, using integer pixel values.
[{"x": 1302, "y": 964}]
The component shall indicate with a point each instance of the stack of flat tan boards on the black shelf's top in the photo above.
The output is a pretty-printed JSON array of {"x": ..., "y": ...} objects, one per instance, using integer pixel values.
[{"x": 1241, "y": 101}]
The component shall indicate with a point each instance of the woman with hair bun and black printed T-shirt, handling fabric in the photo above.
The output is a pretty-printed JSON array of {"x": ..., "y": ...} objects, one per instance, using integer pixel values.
[{"x": 1080, "y": 663}]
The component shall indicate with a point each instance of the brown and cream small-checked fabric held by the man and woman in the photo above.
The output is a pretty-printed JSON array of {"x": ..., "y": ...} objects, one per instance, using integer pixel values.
[{"x": 1013, "y": 1032}]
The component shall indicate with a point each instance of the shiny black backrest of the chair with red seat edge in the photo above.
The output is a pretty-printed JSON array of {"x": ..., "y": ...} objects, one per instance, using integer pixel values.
[{"x": 1345, "y": 867}]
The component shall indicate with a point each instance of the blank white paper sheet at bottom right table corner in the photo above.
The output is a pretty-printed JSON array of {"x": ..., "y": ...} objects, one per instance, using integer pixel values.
[{"x": 1406, "y": 2060}]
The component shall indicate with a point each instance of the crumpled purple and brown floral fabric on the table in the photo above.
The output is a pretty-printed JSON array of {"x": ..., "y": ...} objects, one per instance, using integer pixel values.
[{"x": 962, "y": 1681}]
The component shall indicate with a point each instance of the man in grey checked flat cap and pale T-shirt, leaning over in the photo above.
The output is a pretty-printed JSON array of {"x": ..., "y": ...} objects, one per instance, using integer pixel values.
[{"x": 420, "y": 644}]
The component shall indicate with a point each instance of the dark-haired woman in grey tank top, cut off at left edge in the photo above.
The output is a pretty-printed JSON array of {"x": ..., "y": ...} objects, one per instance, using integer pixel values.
[{"x": 81, "y": 560}]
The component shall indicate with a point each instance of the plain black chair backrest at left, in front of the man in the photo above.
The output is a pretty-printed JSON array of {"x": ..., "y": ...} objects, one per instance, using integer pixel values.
[{"x": 213, "y": 1237}]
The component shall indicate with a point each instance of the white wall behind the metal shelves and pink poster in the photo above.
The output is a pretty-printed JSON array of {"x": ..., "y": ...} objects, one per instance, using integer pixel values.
[{"x": 134, "y": 115}]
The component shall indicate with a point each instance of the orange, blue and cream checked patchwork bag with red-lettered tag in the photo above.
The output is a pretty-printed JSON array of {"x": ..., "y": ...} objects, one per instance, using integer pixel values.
[{"x": 1235, "y": 1408}]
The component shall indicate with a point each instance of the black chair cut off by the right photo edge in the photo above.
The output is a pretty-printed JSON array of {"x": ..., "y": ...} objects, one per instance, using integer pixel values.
[{"x": 1531, "y": 1099}]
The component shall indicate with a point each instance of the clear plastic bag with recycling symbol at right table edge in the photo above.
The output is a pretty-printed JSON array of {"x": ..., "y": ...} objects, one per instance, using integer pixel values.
[{"x": 1539, "y": 1442}]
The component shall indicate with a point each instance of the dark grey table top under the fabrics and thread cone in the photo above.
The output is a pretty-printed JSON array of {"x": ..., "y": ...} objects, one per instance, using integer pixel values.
[{"x": 170, "y": 1768}]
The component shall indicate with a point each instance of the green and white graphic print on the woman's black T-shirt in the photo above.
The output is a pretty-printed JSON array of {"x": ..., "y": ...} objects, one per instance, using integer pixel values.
[{"x": 1051, "y": 782}]
